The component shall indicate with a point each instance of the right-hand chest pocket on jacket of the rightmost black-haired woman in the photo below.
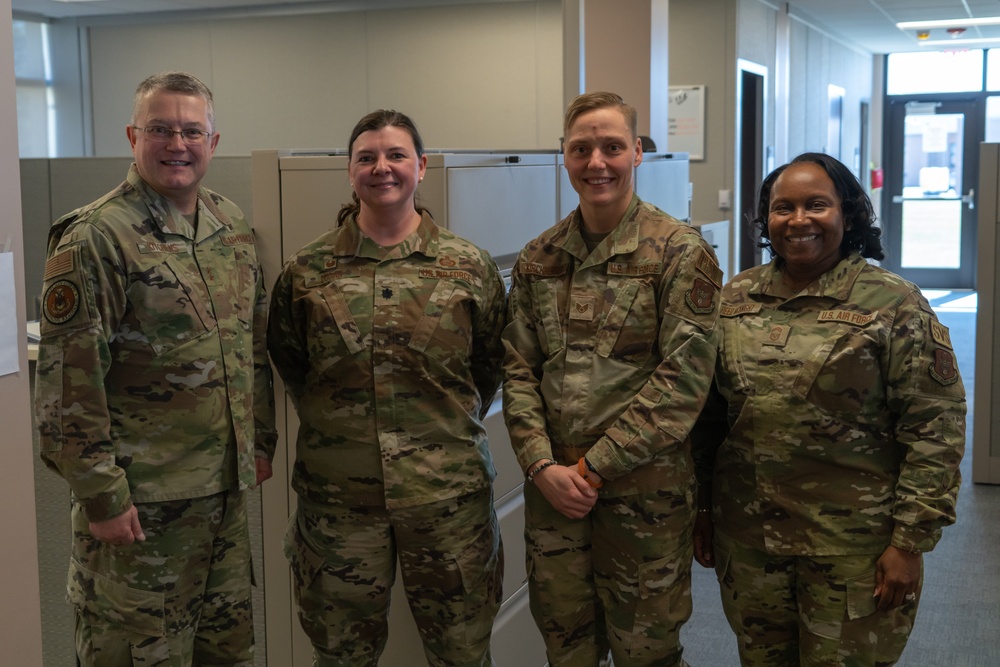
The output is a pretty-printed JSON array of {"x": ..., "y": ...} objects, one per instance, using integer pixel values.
[{"x": 843, "y": 373}]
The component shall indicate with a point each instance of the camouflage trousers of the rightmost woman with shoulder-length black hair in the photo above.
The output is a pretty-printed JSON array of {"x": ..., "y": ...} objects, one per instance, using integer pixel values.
[{"x": 813, "y": 611}]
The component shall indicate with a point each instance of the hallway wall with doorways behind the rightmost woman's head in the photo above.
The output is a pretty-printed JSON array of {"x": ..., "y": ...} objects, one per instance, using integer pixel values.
[{"x": 707, "y": 37}]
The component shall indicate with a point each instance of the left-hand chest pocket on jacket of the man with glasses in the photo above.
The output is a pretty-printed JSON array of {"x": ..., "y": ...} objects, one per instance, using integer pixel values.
[{"x": 170, "y": 306}]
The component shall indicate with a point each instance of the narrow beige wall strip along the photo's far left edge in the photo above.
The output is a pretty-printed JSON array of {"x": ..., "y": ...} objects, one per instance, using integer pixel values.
[{"x": 20, "y": 615}]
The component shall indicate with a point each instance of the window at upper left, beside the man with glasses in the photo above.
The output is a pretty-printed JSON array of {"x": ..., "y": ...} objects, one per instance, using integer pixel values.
[{"x": 34, "y": 91}]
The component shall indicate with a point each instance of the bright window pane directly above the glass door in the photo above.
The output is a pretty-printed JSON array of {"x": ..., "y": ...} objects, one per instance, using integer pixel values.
[{"x": 934, "y": 72}]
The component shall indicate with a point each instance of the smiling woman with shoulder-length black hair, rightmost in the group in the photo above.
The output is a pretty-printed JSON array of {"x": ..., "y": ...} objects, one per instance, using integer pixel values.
[{"x": 828, "y": 454}]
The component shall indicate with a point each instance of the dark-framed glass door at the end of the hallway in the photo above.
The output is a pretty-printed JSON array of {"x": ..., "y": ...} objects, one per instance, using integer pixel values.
[{"x": 930, "y": 223}]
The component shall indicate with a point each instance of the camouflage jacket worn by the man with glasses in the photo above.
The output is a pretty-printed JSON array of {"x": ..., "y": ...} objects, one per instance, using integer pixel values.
[{"x": 152, "y": 380}]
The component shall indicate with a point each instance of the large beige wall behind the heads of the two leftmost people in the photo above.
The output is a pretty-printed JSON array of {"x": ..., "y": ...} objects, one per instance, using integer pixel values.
[{"x": 471, "y": 76}]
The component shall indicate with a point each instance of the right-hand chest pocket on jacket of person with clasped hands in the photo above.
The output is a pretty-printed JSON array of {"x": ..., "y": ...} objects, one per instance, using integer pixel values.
[{"x": 629, "y": 328}]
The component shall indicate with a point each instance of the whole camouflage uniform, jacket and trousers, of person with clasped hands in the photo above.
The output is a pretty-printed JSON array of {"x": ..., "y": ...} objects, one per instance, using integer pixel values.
[{"x": 610, "y": 354}]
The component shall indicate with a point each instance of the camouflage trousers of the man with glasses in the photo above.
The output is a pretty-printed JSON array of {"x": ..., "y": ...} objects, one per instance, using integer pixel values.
[{"x": 181, "y": 597}]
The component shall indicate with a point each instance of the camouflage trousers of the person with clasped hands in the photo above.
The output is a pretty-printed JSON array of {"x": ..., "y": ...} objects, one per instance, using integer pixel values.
[{"x": 618, "y": 579}]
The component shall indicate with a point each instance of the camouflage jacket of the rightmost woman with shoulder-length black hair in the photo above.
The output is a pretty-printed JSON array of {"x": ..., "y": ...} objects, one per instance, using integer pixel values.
[{"x": 845, "y": 414}]
